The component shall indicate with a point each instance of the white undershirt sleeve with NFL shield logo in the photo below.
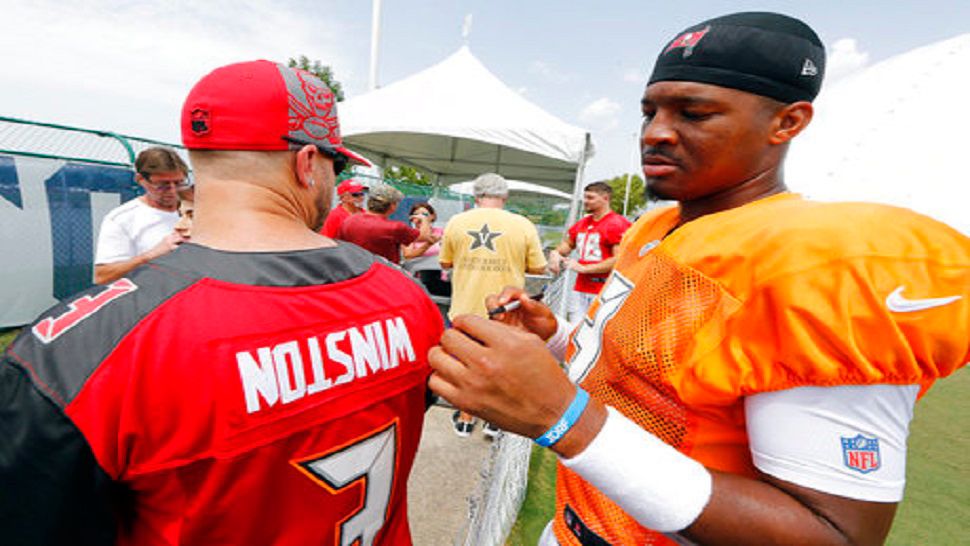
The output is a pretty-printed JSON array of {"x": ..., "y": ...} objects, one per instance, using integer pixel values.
[{"x": 845, "y": 440}]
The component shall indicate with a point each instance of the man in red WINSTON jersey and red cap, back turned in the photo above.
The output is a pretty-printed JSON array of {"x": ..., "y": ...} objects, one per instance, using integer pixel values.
[{"x": 227, "y": 392}]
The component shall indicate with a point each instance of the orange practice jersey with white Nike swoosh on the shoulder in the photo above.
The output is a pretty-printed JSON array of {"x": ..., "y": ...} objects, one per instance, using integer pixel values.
[{"x": 776, "y": 294}]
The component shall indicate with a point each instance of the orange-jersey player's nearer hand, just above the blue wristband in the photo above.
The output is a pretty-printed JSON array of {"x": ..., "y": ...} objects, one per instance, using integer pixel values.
[{"x": 501, "y": 374}]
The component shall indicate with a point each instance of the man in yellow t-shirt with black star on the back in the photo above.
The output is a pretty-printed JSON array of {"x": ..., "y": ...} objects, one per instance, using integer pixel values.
[{"x": 488, "y": 248}]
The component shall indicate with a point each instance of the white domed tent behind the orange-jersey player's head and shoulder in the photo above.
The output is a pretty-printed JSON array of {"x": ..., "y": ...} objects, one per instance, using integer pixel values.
[{"x": 894, "y": 133}]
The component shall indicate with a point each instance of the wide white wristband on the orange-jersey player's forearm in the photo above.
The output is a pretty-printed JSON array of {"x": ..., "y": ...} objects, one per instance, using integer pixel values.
[{"x": 655, "y": 484}]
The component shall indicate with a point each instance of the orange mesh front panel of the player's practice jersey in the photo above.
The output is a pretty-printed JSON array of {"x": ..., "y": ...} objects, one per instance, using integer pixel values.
[{"x": 642, "y": 343}]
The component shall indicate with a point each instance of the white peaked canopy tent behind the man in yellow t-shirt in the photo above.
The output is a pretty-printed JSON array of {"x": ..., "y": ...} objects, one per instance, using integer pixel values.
[{"x": 457, "y": 120}]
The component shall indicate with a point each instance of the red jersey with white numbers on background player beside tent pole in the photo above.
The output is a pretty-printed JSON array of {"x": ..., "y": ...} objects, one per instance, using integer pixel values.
[{"x": 594, "y": 241}]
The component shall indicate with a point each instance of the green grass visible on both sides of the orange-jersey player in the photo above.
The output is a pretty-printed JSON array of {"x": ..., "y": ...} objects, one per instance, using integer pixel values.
[{"x": 936, "y": 509}]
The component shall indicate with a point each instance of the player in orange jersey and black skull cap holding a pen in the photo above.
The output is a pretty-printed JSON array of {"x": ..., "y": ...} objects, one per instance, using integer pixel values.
[{"x": 748, "y": 373}]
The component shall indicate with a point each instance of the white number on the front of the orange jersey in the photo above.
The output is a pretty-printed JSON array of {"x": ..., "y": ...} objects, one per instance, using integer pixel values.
[{"x": 587, "y": 341}]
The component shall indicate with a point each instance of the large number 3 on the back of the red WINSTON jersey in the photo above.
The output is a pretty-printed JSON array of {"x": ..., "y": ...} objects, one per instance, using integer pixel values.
[{"x": 372, "y": 459}]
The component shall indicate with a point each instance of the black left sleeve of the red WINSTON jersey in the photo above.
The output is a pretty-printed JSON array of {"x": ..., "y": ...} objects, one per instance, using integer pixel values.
[{"x": 52, "y": 490}]
